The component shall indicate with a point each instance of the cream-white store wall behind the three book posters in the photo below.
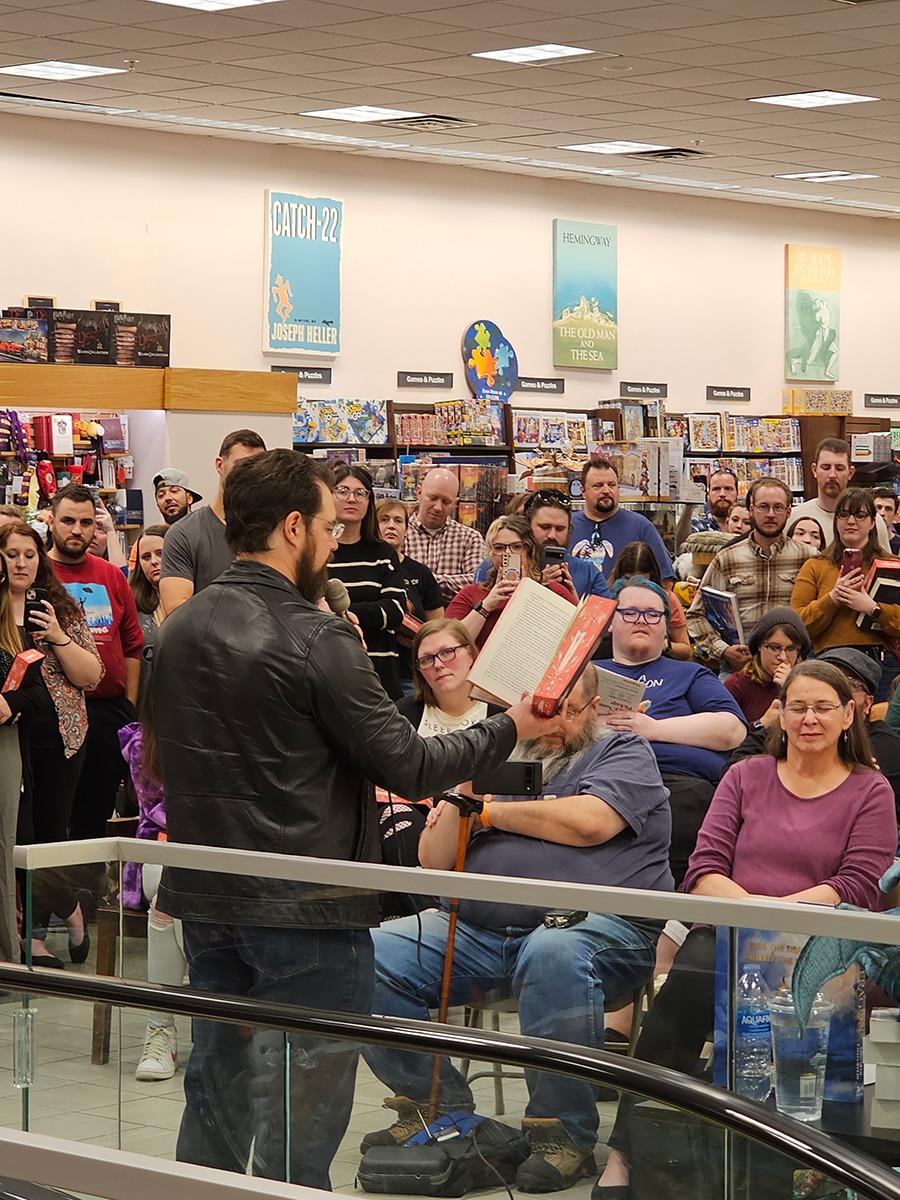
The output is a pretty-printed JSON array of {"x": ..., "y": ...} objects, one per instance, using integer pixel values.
[{"x": 171, "y": 223}]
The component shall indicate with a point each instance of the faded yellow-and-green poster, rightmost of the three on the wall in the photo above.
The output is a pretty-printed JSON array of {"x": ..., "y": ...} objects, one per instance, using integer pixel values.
[{"x": 813, "y": 313}]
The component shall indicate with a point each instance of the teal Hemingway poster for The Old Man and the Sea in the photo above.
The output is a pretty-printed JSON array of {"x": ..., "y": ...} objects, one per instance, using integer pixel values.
[{"x": 586, "y": 332}]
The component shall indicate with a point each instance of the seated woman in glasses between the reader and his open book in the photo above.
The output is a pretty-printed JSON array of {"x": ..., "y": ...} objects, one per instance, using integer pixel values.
[{"x": 443, "y": 653}]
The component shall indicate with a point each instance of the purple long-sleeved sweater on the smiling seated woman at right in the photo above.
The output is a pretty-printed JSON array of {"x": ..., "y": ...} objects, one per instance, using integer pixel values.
[{"x": 773, "y": 843}]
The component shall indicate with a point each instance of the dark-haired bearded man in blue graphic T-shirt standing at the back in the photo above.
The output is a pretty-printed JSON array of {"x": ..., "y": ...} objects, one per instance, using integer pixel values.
[{"x": 602, "y": 531}]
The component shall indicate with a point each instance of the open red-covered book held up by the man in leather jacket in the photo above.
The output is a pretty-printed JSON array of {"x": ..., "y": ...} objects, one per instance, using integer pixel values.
[{"x": 541, "y": 645}]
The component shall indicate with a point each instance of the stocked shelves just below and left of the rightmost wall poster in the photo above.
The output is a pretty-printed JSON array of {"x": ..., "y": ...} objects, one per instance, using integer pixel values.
[{"x": 751, "y": 447}]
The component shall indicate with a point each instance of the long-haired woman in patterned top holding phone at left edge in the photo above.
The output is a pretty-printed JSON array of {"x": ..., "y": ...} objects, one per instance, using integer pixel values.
[{"x": 37, "y": 610}]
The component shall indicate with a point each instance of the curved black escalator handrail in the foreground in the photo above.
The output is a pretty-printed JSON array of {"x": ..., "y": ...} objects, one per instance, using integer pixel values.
[{"x": 842, "y": 1162}]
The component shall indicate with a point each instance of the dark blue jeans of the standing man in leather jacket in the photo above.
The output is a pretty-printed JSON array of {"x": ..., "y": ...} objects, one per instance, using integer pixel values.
[{"x": 238, "y": 1088}]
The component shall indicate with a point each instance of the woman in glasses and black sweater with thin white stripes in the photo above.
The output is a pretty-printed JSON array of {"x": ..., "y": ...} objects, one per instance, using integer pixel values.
[{"x": 370, "y": 571}]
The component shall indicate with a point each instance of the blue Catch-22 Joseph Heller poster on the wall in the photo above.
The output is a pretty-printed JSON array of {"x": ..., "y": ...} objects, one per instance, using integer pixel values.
[{"x": 303, "y": 256}]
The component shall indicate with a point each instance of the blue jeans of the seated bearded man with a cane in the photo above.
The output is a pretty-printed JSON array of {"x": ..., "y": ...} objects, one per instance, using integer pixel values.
[{"x": 561, "y": 979}]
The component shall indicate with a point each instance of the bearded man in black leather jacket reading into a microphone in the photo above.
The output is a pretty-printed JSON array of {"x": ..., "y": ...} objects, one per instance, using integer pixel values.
[{"x": 271, "y": 723}]
